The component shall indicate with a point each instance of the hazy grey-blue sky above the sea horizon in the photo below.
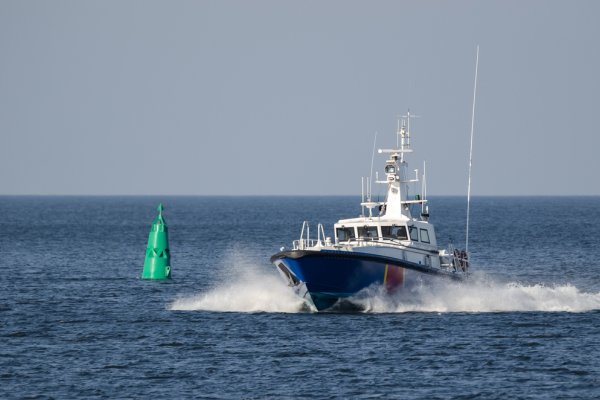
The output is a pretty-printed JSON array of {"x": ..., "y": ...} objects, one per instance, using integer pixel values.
[{"x": 284, "y": 97}]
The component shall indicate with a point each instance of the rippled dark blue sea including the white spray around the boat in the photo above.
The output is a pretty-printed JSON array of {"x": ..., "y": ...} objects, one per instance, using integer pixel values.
[{"x": 76, "y": 320}]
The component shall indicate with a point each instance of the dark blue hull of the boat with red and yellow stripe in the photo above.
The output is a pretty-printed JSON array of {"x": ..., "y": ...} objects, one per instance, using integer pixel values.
[{"x": 325, "y": 277}]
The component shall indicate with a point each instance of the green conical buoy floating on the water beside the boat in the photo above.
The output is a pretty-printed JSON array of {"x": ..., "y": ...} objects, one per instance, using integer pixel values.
[{"x": 158, "y": 257}]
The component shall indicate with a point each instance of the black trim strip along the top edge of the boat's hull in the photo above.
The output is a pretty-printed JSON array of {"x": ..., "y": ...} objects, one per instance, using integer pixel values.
[{"x": 296, "y": 254}]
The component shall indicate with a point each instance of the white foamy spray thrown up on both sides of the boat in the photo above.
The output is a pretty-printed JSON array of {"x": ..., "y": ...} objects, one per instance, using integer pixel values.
[{"x": 250, "y": 286}]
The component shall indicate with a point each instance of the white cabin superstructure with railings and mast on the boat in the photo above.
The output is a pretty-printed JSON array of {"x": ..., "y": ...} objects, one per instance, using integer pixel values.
[{"x": 388, "y": 228}]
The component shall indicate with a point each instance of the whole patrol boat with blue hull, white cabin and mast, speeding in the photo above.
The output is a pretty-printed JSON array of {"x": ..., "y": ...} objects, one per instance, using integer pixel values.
[{"x": 385, "y": 246}]
